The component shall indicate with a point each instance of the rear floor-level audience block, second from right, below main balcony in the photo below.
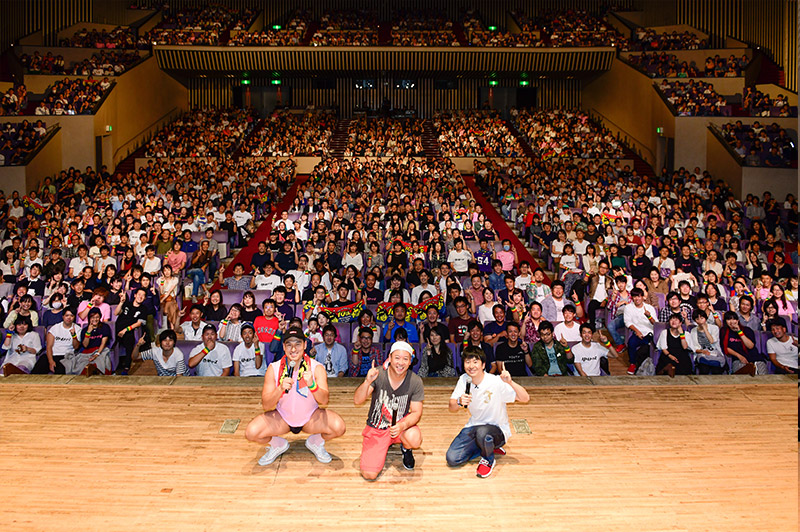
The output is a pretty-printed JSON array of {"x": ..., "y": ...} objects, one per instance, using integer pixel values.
[{"x": 474, "y": 134}]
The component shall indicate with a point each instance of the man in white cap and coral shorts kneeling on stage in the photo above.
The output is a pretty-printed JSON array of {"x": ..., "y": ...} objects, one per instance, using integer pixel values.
[{"x": 394, "y": 411}]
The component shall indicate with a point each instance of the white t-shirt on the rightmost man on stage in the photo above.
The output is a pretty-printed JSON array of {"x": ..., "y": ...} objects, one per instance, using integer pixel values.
[{"x": 489, "y": 398}]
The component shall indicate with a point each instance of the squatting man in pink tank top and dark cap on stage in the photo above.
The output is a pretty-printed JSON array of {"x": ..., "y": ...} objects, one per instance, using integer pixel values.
[{"x": 294, "y": 388}]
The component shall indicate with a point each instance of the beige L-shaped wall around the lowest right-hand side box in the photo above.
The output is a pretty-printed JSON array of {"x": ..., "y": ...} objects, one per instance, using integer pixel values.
[{"x": 690, "y": 136}]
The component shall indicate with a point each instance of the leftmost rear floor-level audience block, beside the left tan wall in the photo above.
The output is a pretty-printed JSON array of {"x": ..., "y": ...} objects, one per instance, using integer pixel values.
[{"x": 203, "y": 133}]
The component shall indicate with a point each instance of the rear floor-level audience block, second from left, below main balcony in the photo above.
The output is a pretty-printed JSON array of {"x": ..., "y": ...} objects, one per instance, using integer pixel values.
[{"x": 285, "y": 133}]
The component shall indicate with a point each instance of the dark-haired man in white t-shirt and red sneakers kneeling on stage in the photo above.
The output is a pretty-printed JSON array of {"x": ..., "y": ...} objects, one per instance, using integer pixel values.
[{"x": 485, "y": 395}]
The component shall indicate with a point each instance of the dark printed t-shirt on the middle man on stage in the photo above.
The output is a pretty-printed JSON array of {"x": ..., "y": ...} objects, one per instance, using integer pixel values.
[{"x": 385, "y": 400}]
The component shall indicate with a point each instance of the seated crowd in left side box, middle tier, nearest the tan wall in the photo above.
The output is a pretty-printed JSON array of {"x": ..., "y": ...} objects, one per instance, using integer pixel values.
[{"x": 73, "y": 97}]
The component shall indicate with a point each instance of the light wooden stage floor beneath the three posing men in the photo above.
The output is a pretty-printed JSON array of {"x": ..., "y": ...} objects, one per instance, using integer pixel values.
[{"x": 136, "y": 454}]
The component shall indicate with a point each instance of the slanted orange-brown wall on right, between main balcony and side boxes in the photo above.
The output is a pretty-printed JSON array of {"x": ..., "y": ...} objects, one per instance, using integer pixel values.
[{"x": 628, "y": 104}]
